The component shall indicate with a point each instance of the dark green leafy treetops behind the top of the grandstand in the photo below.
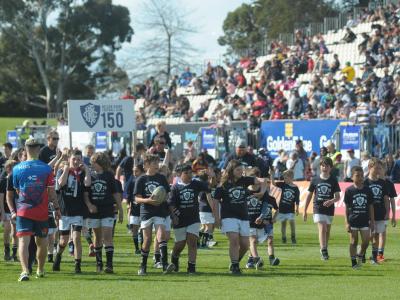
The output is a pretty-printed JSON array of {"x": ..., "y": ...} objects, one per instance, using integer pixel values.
[{"x": 247, "y": 25}]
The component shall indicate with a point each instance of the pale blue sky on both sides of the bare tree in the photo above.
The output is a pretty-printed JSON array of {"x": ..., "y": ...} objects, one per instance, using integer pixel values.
[{"x": 206, "y": 15}]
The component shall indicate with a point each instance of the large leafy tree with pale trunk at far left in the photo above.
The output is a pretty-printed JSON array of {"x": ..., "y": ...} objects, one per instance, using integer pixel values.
[{"x": 71, "y": 55}]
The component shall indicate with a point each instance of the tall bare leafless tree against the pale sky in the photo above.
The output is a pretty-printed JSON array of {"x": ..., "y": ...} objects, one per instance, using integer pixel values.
[{"x": 168, "y": 42}]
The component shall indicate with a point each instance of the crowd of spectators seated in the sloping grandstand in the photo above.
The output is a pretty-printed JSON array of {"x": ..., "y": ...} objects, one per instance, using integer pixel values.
[{"x": 274, "y": 91}]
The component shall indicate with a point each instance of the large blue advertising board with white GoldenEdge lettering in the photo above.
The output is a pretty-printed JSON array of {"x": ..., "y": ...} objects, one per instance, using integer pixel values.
[{"x": 277, "y": 135}]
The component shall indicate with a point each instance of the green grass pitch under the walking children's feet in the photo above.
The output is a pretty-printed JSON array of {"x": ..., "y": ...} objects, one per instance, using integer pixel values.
[{"x": 301, "y": 275}]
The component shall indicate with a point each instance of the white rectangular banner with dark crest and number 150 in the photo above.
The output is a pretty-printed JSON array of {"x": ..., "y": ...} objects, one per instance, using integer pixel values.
[{"x": 97, "y": 116}]
